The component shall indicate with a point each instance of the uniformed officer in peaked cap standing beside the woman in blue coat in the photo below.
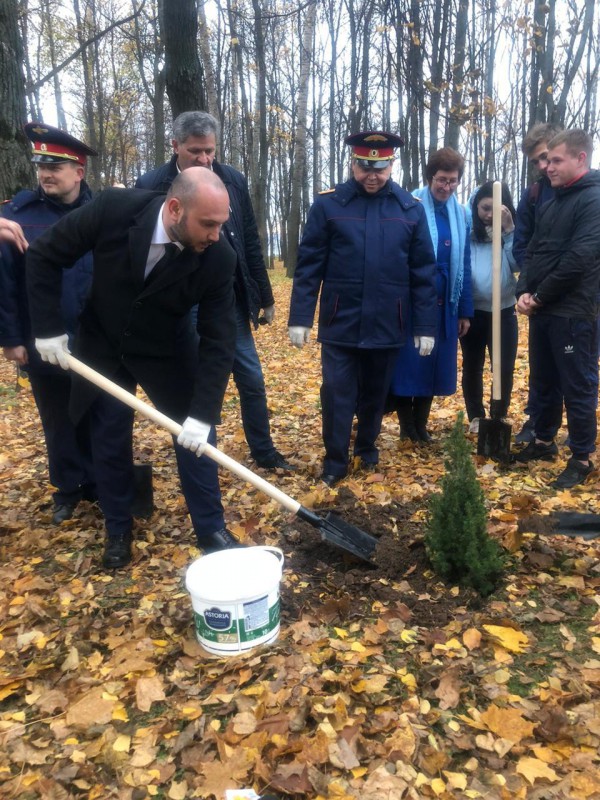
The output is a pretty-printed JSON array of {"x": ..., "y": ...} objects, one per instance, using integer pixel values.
[{"x": 366, "y": 247}]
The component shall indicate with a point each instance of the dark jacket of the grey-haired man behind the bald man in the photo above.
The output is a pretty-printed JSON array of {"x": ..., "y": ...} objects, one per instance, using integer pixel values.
[{"x": 253, "y": 286}]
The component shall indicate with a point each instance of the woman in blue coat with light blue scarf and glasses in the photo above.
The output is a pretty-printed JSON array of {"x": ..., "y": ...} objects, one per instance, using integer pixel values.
[{"x": 417, "y": 380}]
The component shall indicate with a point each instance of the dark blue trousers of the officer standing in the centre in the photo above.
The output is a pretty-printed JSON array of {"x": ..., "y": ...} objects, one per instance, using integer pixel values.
[{"x": 354, "y": 381}]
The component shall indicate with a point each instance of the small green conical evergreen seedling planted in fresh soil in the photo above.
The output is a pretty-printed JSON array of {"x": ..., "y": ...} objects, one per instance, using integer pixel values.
[{"x": 458, "y": 545}]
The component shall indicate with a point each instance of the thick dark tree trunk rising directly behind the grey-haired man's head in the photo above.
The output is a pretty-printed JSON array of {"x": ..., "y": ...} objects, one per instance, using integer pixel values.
[{"x": 183, "y": 71}]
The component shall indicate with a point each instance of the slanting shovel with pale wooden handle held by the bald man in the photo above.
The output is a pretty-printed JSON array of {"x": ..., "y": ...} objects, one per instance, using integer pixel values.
[{"x": 332, "y": 528}]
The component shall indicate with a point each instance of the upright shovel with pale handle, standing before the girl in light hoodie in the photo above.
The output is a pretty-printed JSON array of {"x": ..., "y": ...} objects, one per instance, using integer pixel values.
[{"x": 494, "y": 434}]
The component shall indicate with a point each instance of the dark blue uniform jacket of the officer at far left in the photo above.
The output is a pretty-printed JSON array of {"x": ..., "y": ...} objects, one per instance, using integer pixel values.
[{"x": 36, "y": 212}]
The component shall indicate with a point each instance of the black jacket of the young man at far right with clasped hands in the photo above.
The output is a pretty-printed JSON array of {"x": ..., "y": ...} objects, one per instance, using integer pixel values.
[{"x": 562, "y": 263}]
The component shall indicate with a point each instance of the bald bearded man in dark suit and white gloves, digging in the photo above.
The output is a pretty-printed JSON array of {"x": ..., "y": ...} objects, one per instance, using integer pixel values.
[{"x": 128, "y": 331}]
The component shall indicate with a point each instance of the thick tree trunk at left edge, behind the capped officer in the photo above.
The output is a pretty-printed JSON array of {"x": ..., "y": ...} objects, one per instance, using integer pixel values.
[{"x": 16, "y": 171}]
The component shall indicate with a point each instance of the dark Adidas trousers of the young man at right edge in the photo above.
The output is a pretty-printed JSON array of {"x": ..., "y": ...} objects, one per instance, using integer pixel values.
[{"x": 563, "y": 363}]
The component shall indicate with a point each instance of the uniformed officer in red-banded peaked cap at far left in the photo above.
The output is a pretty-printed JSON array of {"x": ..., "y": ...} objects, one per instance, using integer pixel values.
[{"x": 60, "y": 160}]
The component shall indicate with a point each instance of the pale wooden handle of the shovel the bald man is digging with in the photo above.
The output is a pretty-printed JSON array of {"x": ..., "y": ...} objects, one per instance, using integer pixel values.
[{"x": 173, "y": 427}]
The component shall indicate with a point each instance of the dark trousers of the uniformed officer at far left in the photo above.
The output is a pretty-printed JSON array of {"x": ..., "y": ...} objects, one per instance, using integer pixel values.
[{"x": 67, "y": 445}]
